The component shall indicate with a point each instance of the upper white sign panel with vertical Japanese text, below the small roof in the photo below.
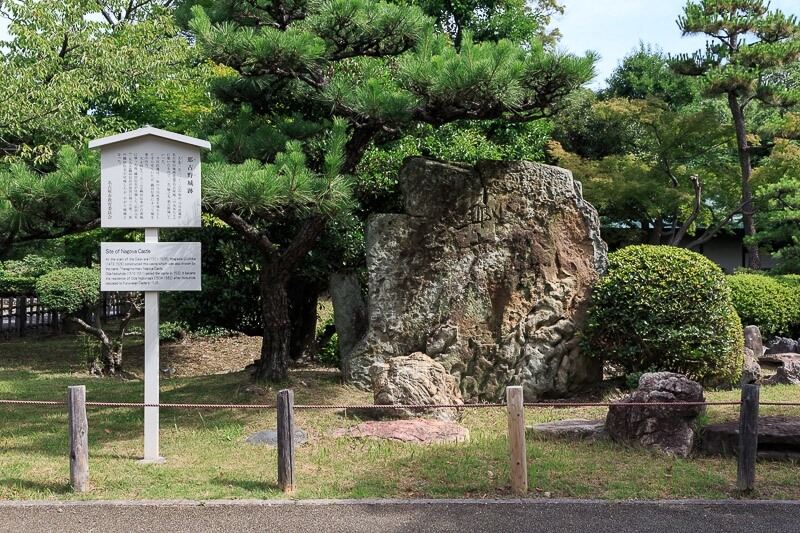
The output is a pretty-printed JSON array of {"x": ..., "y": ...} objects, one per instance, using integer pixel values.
[{"x": 150, "y": 182}]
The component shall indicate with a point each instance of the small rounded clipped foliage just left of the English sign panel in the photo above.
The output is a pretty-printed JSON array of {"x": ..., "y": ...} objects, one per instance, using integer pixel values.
[{"x": 69, "y": 290}]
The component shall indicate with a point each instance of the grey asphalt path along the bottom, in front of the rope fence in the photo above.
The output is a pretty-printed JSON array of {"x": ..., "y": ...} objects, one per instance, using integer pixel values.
[{"x": 386, "y": 516}]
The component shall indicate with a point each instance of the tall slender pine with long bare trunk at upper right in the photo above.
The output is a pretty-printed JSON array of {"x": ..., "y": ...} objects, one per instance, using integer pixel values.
[{"x": 745, "y": 61}]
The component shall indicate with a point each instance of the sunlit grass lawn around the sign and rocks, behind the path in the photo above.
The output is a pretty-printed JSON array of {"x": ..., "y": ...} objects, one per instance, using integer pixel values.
[{"x": 207, "y": 457}]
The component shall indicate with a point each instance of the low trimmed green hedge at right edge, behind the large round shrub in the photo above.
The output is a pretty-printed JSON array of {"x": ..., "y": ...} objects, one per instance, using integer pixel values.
[{"x": 770, "y": 302}]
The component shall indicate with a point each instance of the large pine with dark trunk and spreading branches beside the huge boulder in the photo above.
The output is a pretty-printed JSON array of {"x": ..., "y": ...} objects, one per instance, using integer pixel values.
[{"x": 382, "y": 70}]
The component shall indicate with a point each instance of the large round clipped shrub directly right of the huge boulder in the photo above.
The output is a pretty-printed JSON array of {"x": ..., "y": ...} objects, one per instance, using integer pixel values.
[{"x": 666, "y": 308}]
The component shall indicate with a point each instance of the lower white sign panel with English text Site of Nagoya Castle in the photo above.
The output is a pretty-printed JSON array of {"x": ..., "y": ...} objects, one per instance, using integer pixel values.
[{"x": 152, "y": 266}]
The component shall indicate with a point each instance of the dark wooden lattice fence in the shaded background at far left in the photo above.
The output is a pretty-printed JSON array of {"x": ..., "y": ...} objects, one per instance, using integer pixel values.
[{"x": 21, "y": 314}]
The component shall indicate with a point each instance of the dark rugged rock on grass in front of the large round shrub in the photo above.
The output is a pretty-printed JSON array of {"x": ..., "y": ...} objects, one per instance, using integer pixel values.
[{"x": 666, "y": 428}]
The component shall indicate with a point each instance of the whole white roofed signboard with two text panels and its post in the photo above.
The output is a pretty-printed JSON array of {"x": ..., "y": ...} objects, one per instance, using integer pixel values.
[{"x": 150, "y": 179}]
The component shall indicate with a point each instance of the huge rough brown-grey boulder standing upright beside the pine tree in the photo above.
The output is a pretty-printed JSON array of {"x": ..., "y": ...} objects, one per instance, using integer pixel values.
[{"x": 489, "y": 273}]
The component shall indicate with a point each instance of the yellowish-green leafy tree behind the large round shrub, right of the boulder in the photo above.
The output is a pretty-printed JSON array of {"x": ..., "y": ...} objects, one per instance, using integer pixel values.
[{"x": 655, "y": 181}]
